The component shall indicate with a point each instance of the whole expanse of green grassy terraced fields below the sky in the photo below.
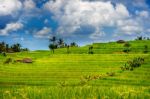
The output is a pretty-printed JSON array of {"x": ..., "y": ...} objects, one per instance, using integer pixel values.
[{"x": 78, "y": 75}]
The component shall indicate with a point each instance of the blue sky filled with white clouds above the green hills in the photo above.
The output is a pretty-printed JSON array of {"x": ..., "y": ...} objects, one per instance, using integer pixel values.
[{"x": 32, "y": 22}]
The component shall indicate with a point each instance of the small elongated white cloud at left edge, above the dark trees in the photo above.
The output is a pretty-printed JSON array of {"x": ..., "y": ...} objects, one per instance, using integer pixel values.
[{"x": 10, "y": 28}]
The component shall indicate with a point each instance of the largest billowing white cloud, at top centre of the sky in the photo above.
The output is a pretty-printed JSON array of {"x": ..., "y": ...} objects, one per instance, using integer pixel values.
[{"x": 72, "y": 14}]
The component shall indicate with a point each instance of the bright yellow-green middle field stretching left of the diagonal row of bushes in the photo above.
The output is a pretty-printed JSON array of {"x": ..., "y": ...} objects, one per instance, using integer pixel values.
[{"x": 52, "y": 69}]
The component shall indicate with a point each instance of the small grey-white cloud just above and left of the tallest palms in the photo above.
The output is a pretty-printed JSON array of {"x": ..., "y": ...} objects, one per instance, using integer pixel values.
[{"x": 43, "y": 33}]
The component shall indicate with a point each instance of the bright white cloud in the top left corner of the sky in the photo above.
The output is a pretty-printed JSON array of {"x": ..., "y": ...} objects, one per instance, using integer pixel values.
[{"x": 9, "y": 7}]
